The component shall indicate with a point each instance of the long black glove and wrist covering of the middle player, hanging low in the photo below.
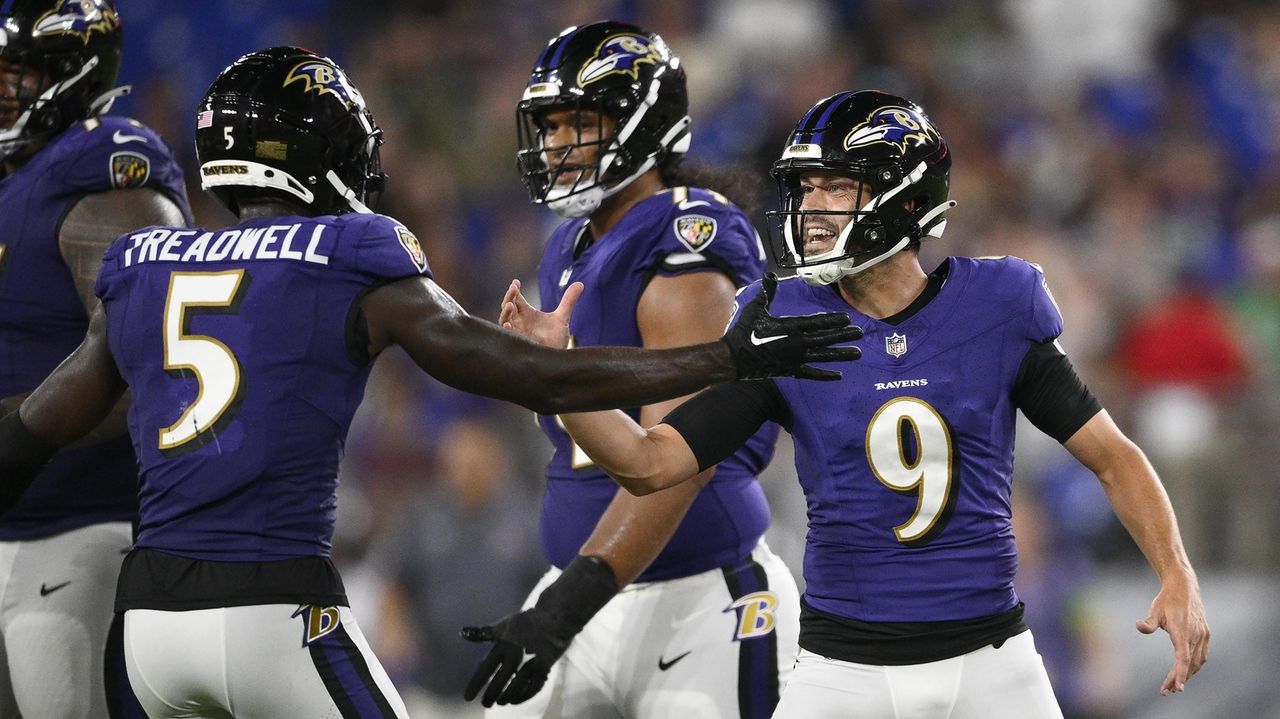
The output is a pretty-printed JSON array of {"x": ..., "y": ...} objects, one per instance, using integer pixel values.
[{"x": 545, "y": 631}]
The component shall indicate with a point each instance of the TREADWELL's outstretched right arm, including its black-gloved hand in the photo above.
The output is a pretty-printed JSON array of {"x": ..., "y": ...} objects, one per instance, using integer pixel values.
[{"x": 477, "y": 356}]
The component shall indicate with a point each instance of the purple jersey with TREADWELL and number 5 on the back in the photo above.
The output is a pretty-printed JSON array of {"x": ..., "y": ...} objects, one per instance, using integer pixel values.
[{"x": 235, "y": 346}]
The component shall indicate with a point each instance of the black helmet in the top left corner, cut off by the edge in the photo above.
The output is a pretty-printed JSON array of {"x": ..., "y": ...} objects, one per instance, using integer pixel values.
[{"x": 65, "y": 57}]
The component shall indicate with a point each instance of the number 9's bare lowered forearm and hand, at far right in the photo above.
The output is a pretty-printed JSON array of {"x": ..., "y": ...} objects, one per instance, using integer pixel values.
[{"x": 1142, "y": 506}]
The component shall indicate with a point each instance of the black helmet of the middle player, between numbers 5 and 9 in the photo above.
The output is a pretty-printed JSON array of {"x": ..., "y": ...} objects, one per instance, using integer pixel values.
[{"x": 614, "y": 70}]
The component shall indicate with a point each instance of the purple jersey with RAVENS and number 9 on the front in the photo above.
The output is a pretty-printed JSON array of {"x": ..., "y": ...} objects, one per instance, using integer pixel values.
[{"x": 907, "y": 462}]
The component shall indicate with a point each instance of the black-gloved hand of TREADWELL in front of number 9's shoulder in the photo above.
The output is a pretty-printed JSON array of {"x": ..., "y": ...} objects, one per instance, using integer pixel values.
[{"x": 765, "y": 346}]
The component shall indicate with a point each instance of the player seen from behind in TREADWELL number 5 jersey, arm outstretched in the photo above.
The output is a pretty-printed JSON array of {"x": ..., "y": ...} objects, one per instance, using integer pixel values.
[{"x": 248, "y": 351}]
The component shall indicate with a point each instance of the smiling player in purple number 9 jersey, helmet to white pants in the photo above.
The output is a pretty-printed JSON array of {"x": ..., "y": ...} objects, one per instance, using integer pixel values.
[{"x": 909, "y": 607}]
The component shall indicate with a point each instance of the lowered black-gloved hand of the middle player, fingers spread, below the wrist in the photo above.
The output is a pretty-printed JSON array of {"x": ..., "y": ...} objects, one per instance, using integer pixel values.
[{"x": 509, "y": 681}]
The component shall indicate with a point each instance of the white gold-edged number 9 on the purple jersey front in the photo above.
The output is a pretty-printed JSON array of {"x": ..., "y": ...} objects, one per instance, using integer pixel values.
[{"x": 929, "y": 473}]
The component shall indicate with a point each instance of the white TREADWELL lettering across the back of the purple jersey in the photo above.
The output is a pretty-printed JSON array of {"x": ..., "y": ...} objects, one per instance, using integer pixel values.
[{"x": 273, "y": 242}]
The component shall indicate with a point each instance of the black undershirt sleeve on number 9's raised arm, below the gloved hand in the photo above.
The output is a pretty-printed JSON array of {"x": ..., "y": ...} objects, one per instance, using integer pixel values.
[{"x": 720, "y": 420}]
